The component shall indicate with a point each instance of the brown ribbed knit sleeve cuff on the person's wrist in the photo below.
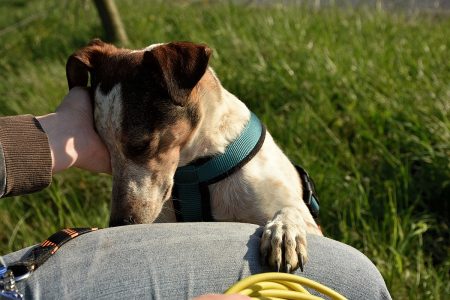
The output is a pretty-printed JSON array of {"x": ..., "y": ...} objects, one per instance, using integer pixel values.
[{"x": 26, "y": 159}]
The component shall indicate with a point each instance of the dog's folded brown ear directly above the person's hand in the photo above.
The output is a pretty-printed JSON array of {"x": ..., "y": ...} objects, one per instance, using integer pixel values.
[{"x": 82, "y": 62}]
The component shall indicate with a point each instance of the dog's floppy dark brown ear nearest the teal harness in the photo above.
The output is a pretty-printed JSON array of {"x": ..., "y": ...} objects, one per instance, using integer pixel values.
[{"x": 181, "y": 64}]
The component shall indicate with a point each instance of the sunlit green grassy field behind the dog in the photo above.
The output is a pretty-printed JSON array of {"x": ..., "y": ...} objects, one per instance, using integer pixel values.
[{"x": 360, "y": 98}]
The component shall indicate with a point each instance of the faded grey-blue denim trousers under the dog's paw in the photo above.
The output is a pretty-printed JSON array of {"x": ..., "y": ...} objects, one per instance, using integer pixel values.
[{"x": 184, "y": 260}]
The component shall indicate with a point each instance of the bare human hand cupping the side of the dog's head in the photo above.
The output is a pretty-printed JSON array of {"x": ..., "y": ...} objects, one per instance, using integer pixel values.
[{"x": 72, "y": 137}]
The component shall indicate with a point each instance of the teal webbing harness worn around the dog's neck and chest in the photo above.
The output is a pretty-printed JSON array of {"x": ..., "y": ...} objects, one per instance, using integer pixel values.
[{"x": 191, "y": 197}]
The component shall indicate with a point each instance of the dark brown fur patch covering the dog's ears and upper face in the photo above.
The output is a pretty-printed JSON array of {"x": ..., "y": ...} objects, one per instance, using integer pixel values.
[{"x": 155, "y": 85}]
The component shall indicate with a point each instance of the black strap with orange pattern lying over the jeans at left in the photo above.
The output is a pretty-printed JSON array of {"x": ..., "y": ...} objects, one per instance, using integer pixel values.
[{"x": 40, "y": 253}]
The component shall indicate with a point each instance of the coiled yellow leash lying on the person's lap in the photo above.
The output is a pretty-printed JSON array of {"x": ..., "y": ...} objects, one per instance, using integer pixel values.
[{"x": 280, "y": 286}]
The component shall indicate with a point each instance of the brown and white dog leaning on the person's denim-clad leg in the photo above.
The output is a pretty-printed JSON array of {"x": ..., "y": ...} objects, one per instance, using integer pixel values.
[{"x": 163, "y": 107}]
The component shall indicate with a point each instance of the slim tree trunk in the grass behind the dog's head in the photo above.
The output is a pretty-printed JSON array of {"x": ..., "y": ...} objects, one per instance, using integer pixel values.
[{"x": 114, "y": 29}]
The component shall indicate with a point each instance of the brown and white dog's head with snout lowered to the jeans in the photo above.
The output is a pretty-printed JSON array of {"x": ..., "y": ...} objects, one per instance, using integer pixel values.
[{"x": 145, "y": 111}]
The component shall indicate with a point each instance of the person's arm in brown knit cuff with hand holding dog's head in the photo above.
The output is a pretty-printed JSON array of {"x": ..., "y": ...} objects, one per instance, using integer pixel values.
[{"x": 34, "y": 148}]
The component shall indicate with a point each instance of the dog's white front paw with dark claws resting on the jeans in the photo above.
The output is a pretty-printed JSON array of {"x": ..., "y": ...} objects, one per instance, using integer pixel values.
[{"x": 283, "y": 243}]
